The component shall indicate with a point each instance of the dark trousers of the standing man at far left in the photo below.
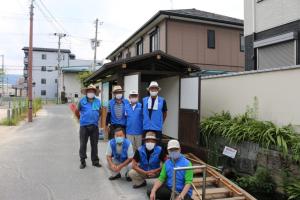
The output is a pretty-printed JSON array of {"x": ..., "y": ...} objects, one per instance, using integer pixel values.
[{"x": 86, "y": 132}]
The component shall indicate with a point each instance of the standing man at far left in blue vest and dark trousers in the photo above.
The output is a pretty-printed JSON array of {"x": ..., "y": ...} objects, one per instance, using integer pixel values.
[{"x": 89, "y": 109}]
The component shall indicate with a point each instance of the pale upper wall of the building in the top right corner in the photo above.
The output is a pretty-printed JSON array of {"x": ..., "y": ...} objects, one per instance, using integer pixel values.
[{"x": 269, "y": 14}]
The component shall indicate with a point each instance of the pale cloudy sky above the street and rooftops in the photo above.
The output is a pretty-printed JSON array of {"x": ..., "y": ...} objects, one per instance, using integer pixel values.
[{"x": 119, "y": 19}]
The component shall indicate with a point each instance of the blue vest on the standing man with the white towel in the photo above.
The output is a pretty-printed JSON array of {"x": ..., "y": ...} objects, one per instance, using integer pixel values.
[{"x": 156, "y": 121}]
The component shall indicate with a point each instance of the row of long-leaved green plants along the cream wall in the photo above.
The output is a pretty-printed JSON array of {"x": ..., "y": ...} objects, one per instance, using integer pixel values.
[{"x": 240, "y": 128}]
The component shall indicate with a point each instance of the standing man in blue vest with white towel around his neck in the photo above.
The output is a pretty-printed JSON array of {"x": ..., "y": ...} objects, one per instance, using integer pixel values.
[{"x": 154, "y": 111}]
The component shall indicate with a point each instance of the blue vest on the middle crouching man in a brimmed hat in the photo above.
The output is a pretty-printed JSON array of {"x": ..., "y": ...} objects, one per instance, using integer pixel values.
[{"x": 154, "y": 161}]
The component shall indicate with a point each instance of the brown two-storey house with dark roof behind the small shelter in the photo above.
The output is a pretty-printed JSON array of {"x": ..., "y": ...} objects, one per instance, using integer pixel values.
[{"x": 211, "y": 41}]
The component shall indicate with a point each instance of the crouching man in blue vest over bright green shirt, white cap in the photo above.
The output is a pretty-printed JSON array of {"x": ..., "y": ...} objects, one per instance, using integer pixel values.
[{"x": 162, "y": 188}]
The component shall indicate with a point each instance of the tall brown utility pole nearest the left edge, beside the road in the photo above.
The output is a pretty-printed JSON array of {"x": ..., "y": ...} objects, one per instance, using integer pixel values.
[{"x": 29, "y": 84}]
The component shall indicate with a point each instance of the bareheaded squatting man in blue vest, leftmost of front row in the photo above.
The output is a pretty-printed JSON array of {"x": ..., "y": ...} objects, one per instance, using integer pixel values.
[{"x": 119, "y": 154}]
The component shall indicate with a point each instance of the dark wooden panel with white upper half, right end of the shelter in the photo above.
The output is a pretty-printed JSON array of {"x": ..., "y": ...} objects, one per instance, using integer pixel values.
[{"x": 189, "y": 111}]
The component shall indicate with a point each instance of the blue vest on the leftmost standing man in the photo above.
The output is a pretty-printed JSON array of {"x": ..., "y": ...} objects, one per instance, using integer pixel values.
[{"x": 89, "y": 111}]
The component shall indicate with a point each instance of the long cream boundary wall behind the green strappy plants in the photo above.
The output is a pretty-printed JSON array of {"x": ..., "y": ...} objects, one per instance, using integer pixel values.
[{"x": 277, "y": 93}]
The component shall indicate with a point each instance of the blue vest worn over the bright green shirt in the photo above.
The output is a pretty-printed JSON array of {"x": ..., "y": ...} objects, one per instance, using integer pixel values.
[{"x": 180, "y": 175}]
